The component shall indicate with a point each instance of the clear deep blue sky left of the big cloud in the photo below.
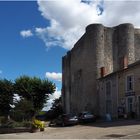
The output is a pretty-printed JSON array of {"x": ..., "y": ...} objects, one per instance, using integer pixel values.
[{"x": 25, "y": 56}]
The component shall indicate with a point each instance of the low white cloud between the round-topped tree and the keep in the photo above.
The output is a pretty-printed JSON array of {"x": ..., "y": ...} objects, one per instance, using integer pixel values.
[{"x": 52, "y": 97}]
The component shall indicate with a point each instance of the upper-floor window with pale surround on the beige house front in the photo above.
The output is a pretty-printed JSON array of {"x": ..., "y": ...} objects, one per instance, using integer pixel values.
[{"x": 129, "y": 83}]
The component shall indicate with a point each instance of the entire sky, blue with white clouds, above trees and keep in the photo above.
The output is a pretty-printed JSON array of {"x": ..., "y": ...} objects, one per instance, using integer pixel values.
[{"x": 34, "y": 35}]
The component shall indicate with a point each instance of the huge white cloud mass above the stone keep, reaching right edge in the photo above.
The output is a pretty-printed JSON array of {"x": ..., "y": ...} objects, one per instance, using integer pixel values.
[{"x": 68, "y": 18}]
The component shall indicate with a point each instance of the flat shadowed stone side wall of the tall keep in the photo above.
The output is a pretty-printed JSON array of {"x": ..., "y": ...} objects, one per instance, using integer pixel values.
[{"x": 83, "y": 73}]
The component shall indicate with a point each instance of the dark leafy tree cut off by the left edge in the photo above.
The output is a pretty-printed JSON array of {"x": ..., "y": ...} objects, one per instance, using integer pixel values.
[{"x": 6, "y": 97}]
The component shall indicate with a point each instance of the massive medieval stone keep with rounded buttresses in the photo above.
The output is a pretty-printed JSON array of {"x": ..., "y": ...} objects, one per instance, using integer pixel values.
[{"x": 99, "y": 52}]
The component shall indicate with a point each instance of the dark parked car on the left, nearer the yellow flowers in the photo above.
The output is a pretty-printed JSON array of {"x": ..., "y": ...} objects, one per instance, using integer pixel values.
[{"x": 64, "y": 120}]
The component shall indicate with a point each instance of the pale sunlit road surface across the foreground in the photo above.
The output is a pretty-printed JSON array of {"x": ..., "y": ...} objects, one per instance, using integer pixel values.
[{"x": 128, "y": 129}]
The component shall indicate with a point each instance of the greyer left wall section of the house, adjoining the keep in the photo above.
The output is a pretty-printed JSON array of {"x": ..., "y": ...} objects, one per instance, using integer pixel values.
[{"x": 113, "y": 96}]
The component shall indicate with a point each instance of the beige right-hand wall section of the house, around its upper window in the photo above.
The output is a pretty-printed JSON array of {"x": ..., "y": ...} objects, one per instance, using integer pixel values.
[{"x": 135, "y": 93}]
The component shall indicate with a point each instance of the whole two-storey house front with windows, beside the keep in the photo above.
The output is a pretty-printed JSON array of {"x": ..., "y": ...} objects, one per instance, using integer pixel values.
[{"x": 120, "y": 90}]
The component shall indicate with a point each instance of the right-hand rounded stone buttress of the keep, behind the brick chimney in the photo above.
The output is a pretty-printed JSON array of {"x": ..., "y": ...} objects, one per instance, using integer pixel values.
[{"x": 125, "y": 43}]
